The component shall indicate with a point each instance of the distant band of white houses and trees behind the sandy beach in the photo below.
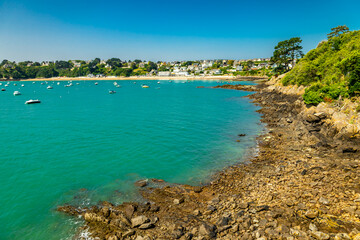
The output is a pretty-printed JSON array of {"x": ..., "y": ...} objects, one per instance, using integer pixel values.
[{"x": 115, "y": 67}]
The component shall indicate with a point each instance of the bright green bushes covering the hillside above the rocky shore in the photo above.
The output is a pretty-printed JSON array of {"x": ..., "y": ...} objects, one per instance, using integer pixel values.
[{"x": 330, "y": 71}]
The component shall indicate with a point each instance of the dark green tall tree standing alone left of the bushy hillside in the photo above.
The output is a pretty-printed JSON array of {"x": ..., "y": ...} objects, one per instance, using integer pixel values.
[{"x": 287, "y": 52}]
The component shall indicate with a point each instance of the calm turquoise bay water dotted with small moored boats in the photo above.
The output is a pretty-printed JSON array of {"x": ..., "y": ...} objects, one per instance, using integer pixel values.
[{"x": 82, "y": 145}]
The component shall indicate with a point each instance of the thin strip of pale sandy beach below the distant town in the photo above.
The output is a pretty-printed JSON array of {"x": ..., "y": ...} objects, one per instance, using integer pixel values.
[{"x": 214, "y": 78}]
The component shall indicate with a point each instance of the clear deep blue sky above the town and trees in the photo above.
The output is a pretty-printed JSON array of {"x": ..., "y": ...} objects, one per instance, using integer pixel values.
[{"x": 164, "y": 30}]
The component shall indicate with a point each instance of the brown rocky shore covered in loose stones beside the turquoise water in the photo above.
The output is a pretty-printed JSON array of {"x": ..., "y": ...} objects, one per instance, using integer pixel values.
[{"x": 303, "y": 184}]
